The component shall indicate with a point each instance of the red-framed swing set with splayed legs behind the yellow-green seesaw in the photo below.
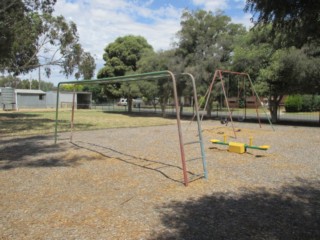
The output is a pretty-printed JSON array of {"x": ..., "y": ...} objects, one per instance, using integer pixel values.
[{"x": 240, "y": 100}]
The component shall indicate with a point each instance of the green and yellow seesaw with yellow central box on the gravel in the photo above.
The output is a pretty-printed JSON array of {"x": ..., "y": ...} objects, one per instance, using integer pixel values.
[{"x": 239, "y": 147}]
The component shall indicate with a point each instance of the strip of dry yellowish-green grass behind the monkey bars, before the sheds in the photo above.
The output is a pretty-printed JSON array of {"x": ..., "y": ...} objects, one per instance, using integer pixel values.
[{"x": 43, "y": 122}]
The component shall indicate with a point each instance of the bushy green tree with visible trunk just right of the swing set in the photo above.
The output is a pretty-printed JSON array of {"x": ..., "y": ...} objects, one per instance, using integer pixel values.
[{"x": 275, "y": 70}]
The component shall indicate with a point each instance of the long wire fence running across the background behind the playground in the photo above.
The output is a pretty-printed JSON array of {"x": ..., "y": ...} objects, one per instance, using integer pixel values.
[{"x": 187, "y": 111}]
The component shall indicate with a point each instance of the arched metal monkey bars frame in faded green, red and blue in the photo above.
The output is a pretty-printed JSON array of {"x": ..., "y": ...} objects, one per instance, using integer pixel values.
[{"x": 148, "y": 76}]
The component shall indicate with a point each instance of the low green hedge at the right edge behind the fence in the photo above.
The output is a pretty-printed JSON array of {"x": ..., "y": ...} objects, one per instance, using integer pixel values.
[{"x": 302, "y": 103}]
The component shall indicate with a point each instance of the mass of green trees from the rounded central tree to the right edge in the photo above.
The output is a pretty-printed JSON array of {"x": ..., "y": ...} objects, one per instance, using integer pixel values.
[{"x": 281, "y": 53}]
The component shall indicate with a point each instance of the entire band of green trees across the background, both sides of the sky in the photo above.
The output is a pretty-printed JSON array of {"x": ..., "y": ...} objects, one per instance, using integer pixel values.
[{"x": 281, "y": 52}]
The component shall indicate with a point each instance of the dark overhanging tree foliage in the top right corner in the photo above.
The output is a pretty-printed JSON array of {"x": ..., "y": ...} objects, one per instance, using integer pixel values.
[{"x": 299, "y": 20}]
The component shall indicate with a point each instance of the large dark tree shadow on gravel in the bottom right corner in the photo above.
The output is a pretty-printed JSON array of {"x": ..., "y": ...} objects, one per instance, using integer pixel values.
[{"x": 293, "y": 212}]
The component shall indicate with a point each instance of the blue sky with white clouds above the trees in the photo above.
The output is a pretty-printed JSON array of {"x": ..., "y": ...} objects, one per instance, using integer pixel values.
[{"x": 100, "y": 22}]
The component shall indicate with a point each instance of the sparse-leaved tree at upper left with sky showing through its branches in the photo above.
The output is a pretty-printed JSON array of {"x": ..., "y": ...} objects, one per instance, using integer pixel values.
[{"x": 30, "y": 37}]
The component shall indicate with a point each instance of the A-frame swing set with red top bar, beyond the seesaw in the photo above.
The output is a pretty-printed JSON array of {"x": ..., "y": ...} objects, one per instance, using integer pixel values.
[{"x": 218, "y": 75}]
